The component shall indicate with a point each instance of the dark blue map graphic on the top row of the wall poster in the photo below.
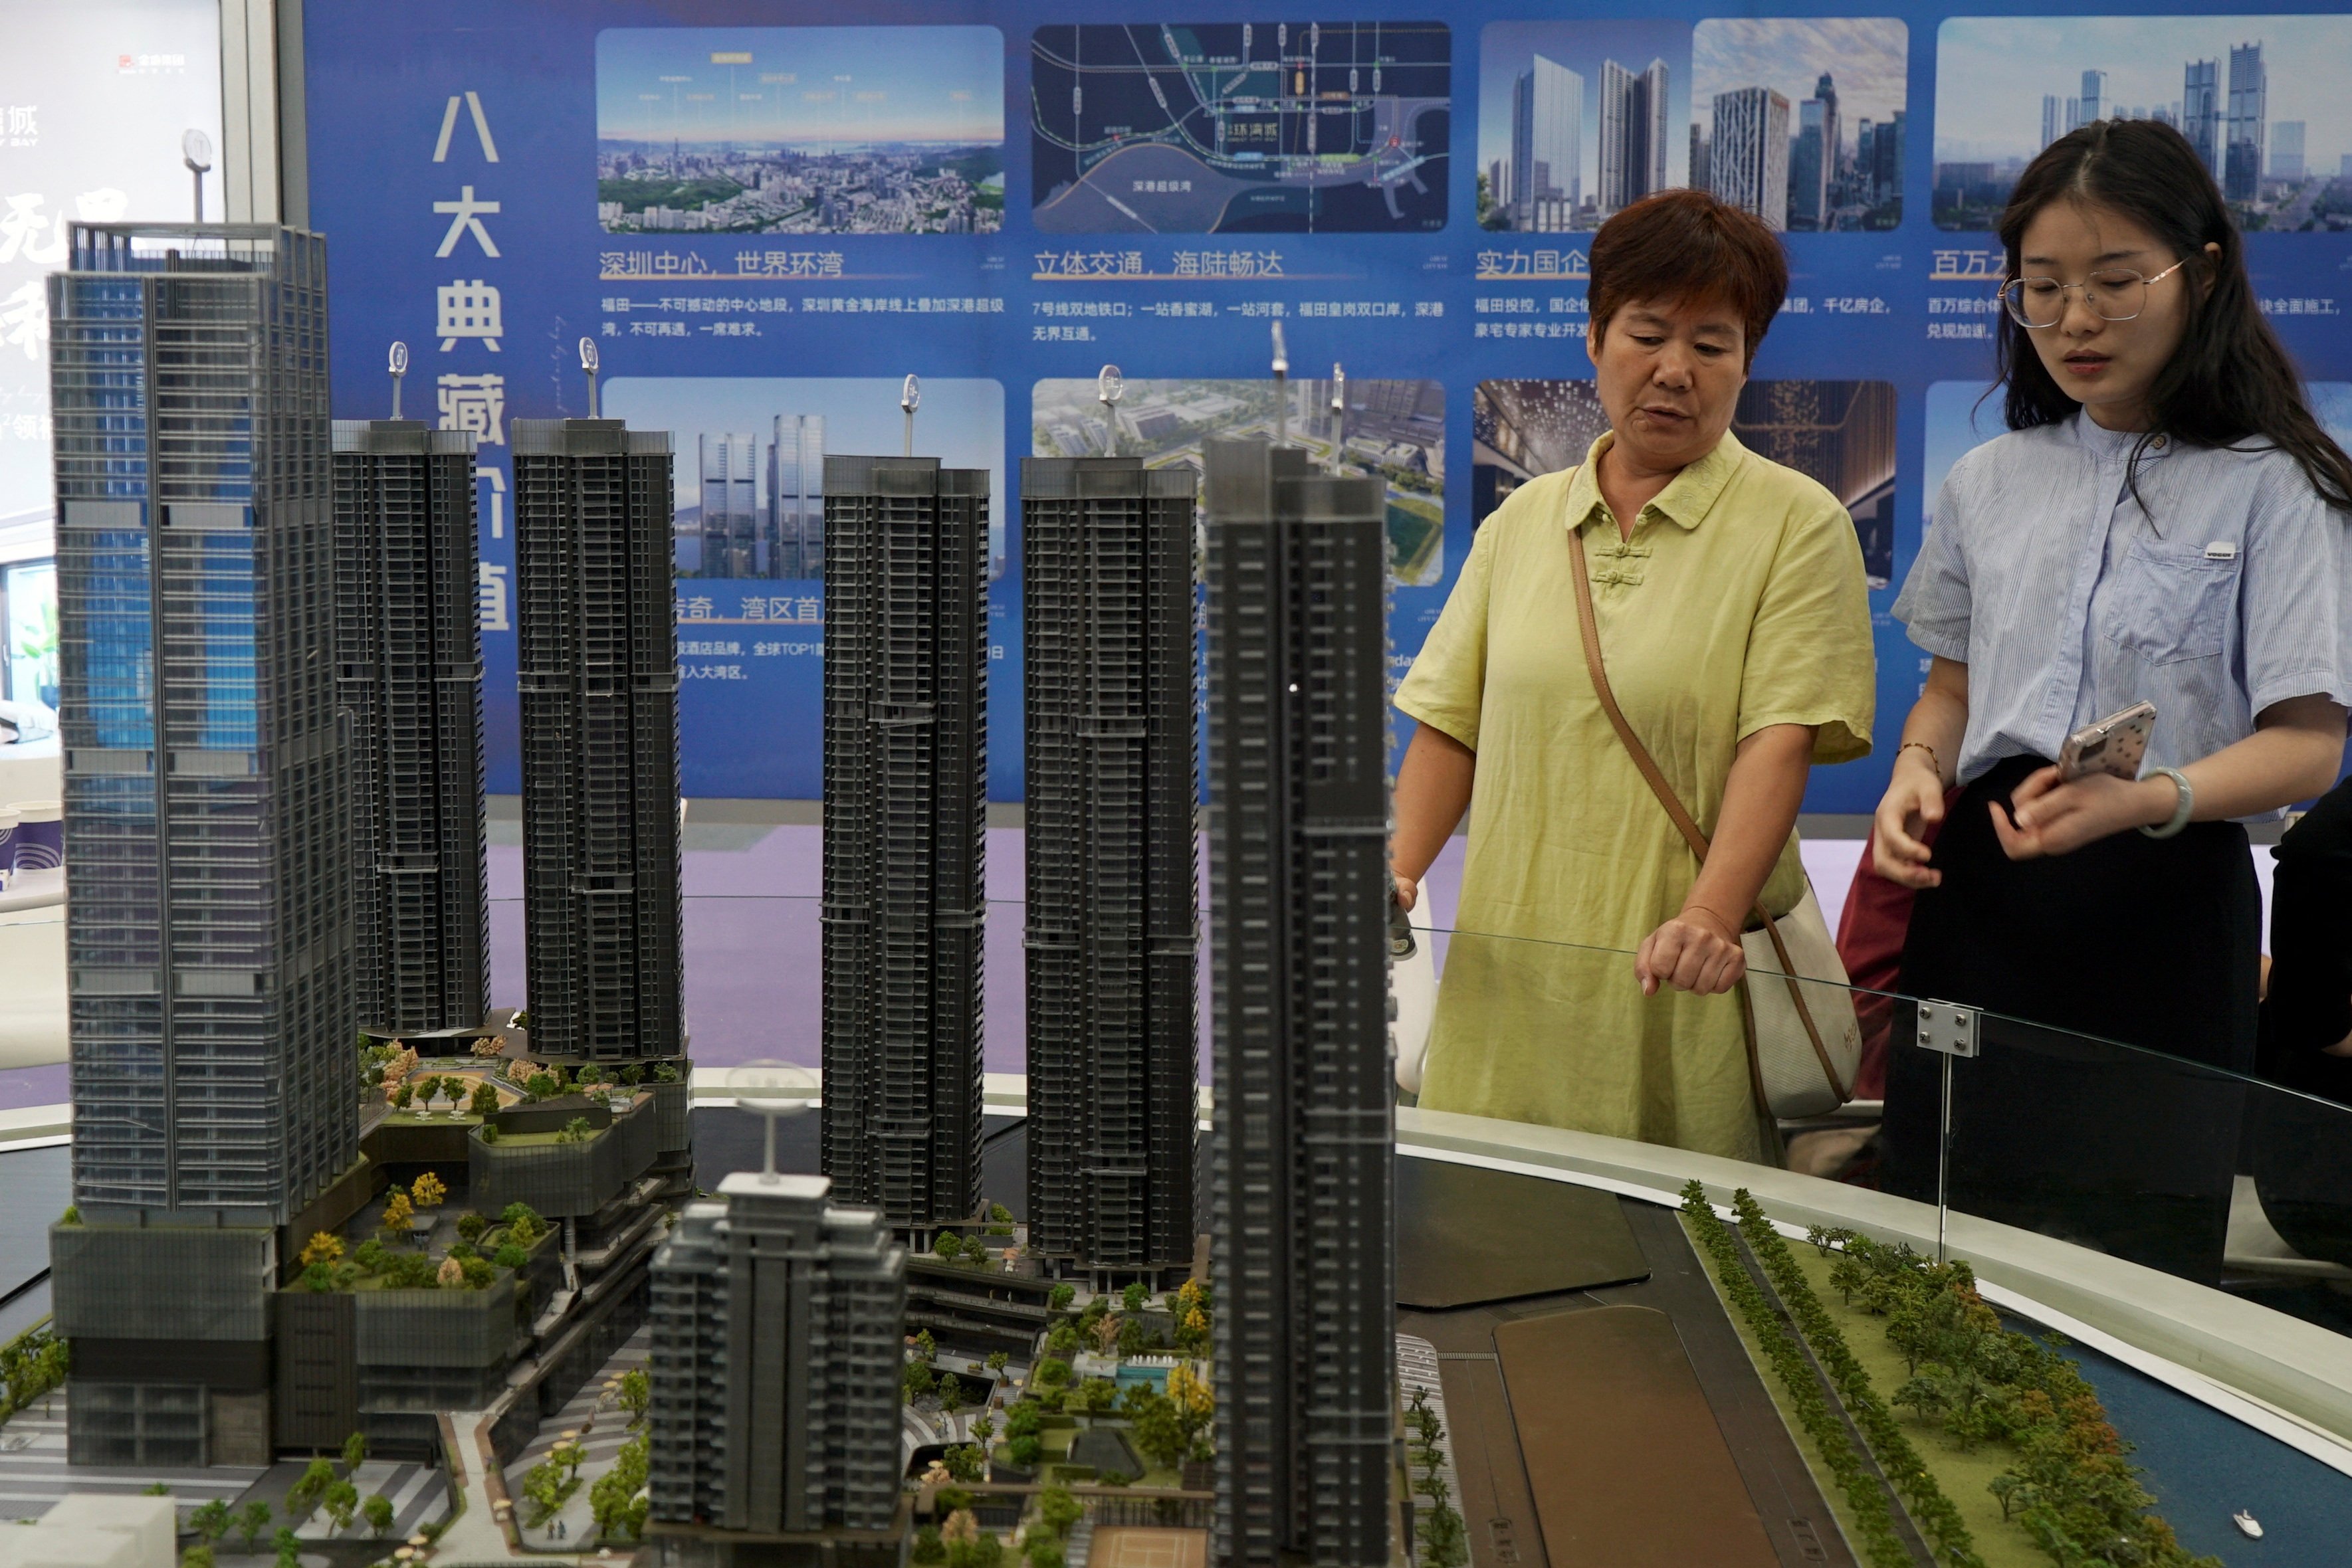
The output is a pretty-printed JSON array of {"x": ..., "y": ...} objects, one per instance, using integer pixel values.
[{"x": 1241, "y": 128}]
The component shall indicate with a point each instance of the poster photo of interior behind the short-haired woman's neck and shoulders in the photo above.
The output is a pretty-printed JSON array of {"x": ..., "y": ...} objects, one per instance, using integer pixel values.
[{"x": 1840, "y": 434}]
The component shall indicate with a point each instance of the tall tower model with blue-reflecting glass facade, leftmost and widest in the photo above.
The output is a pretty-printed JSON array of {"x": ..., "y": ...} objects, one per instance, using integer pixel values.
[{"x": 208, "y": 850}]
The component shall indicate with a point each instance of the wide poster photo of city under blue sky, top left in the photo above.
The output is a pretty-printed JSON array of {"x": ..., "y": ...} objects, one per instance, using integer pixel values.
[{"x": 801, "y": 130}]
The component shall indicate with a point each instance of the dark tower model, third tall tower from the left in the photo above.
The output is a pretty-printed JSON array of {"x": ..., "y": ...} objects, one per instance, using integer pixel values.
[{"x": 599, "y": 674}]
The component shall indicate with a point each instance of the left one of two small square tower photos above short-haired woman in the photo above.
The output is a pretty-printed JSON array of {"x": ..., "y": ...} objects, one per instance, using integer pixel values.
[{"x": 1579, "y": 119}]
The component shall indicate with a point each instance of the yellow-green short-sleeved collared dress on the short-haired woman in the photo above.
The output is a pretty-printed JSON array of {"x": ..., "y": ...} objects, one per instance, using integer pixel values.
[{"x": 1739, "y": 603}]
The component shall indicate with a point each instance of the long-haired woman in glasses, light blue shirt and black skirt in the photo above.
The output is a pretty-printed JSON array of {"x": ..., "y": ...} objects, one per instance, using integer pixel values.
[{"x": 2163, "y": 523}]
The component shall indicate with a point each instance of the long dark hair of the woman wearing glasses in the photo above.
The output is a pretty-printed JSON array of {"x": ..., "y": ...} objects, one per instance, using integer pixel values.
[{"x": 2231, "y": 380}]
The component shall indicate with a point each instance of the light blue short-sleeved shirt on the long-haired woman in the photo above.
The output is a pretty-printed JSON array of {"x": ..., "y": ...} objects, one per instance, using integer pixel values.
[{"x": 2069, "y": 601}]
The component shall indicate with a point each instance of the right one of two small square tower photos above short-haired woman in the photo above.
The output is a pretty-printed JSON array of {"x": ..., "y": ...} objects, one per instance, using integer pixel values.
[{"x": 1803, "y": 123}]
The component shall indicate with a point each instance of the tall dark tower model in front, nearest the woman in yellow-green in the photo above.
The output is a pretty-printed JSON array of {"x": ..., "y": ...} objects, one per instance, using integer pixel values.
[{"x": 1304, "y": 1233}]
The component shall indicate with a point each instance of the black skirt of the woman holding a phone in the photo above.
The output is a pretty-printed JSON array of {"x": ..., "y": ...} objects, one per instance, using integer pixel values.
[{"x": 2059, "y": 1125}]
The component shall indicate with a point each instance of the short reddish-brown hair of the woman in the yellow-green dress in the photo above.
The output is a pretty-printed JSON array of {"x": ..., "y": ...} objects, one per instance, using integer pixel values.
[{"x": 1688, "y": 246}]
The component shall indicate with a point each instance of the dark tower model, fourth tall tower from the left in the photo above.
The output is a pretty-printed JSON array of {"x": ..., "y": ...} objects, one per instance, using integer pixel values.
[{"x": 907, "y": 808}]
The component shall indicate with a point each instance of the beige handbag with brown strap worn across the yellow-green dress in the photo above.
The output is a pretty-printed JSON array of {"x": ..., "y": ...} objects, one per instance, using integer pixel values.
[{"x": 1803, "y": 1038}]
